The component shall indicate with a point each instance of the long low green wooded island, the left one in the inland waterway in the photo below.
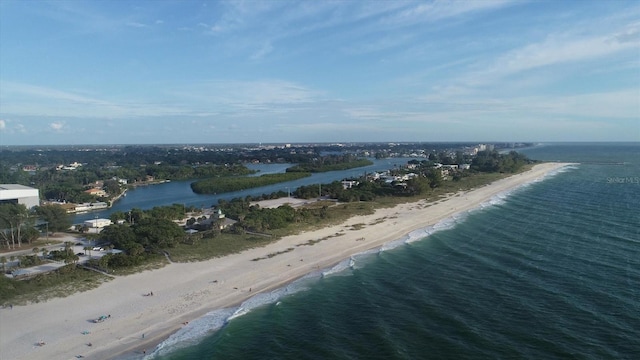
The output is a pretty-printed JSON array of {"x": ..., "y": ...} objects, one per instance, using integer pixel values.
[{"x": 222, "y": 185}]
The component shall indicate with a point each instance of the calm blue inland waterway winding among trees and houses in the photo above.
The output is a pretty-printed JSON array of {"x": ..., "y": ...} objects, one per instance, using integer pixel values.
[{"x": 179, "y": 192}]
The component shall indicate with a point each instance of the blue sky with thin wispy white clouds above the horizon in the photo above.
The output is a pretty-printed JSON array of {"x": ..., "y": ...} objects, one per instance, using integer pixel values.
[{"x": 138, "y": 72}]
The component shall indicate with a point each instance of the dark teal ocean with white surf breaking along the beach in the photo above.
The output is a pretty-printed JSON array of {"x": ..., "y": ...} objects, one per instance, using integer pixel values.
[{"x": 550, "y": 270}]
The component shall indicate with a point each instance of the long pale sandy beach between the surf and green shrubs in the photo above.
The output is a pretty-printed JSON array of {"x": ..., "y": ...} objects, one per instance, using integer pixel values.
[{"x": 183, "y": 292}]
